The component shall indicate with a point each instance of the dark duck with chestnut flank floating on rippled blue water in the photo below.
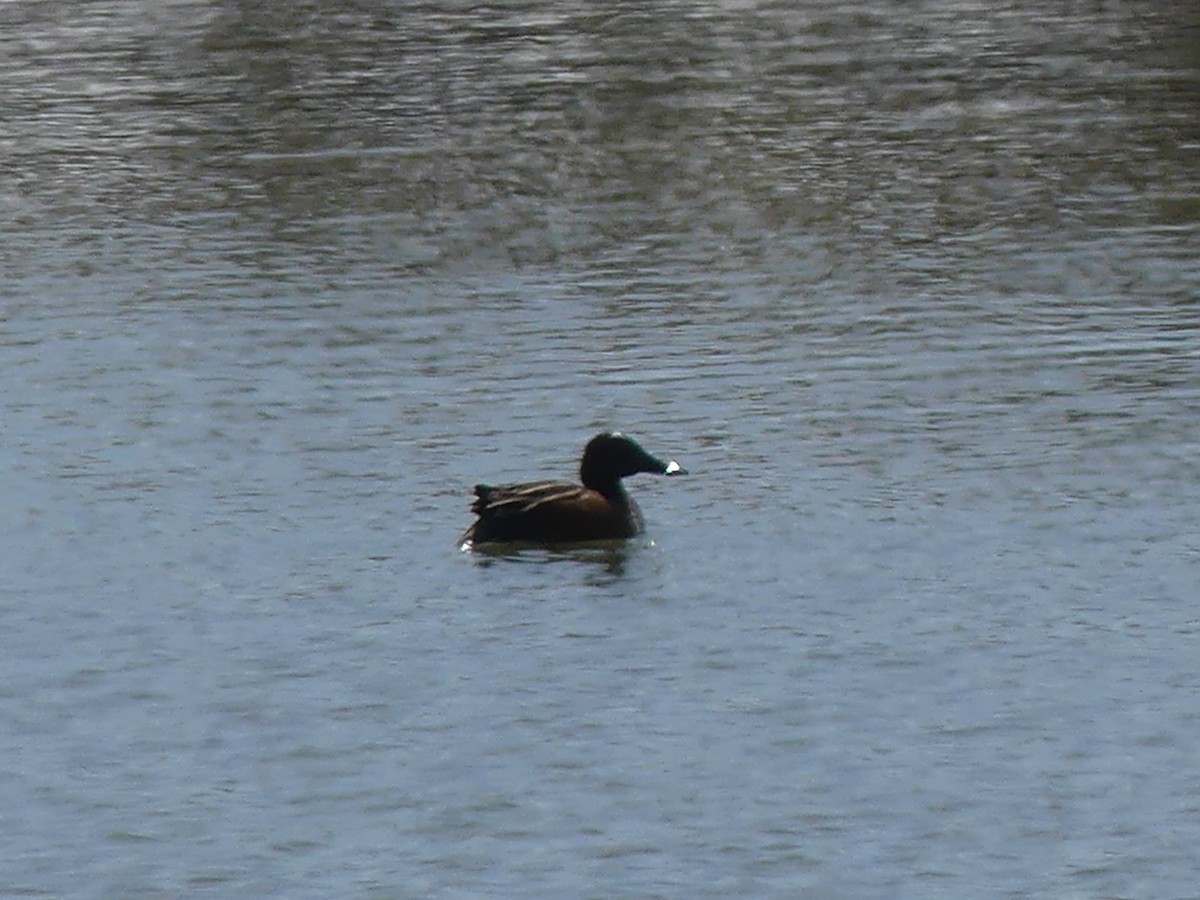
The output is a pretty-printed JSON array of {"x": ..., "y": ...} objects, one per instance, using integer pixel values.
[{"x": 563, "y": 513}]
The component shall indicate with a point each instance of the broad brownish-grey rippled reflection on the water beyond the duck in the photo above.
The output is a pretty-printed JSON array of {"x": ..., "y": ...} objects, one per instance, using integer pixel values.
[{"x": 940, "y": 135}]
